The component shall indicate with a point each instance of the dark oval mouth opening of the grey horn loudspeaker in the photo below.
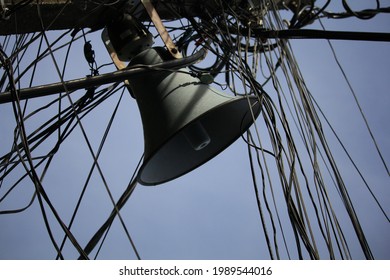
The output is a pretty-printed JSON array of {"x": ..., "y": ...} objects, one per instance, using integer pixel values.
[{"x": 211, "y": 133}]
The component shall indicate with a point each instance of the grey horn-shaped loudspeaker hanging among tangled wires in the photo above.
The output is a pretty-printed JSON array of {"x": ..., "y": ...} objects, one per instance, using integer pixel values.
[{"x": 185, "y": 122}]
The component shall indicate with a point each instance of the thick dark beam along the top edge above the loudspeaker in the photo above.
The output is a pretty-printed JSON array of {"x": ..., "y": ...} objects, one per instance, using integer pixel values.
[{"x": 69, "y": 14}]
